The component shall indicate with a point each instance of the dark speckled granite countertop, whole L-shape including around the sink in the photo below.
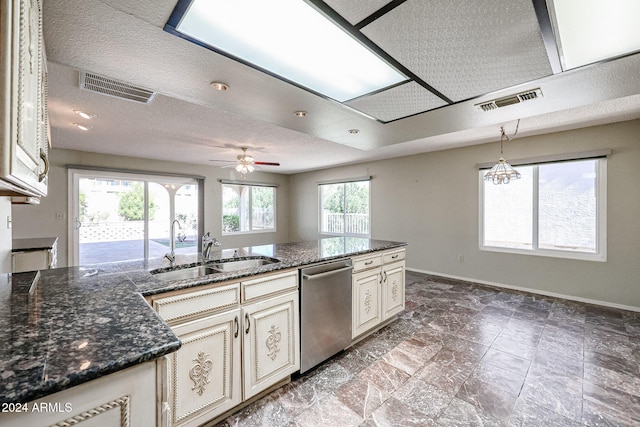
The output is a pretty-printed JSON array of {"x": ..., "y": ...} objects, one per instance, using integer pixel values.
[{"x": 82, "y": 323}]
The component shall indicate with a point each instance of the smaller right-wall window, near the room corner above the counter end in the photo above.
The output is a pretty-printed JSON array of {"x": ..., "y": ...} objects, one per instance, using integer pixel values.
[{"x": 344, "y": 208}]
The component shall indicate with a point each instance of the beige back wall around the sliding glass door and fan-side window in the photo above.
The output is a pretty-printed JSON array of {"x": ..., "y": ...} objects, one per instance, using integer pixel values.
[{"x": 41, "y": 221}]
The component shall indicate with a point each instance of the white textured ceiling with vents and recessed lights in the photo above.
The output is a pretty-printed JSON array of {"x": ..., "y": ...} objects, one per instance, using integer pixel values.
[{"x": 456, "y": 54}]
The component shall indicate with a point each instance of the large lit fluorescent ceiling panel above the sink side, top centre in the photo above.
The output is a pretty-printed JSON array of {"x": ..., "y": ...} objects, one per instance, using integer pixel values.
[{"x": 291, "y": 39}]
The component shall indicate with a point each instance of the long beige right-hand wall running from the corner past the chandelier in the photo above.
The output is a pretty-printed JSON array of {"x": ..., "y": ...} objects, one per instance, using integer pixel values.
[{"x": 431, "y": 202}]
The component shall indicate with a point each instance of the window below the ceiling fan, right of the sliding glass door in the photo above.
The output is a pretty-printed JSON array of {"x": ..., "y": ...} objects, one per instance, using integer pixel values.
[{"x": 248, "y": 208}]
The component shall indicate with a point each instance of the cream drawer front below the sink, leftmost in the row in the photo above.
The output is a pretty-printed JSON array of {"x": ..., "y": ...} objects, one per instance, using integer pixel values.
[{"x": 197, "y": 303}]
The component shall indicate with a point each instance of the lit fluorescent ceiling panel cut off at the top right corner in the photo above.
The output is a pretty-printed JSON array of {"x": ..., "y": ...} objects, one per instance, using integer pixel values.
[{"x": 595, "y": 30}]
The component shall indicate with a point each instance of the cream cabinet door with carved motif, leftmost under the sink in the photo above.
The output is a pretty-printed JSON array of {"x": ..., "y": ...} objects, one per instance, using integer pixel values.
[{"x": 204, "y": 374}]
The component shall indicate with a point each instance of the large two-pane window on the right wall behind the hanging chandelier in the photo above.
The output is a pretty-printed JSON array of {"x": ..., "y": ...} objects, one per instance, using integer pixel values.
[{"x": 555, "y": 209}]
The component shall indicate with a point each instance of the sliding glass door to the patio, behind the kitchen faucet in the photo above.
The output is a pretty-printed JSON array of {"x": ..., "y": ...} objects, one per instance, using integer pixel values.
[{"x": 118, "y": 216}]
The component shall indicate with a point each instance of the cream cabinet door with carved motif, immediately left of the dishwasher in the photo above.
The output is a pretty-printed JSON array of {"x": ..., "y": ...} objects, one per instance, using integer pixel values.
[{"x": 271, "y": 342}]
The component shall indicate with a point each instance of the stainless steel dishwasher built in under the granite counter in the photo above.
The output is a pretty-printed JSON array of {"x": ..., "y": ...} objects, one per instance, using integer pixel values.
[{"x": 325, "y": 311}]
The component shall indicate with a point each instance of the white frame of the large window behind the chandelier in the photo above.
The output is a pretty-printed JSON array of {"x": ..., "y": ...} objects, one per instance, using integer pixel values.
[{"x": 601, "y": 215}]
